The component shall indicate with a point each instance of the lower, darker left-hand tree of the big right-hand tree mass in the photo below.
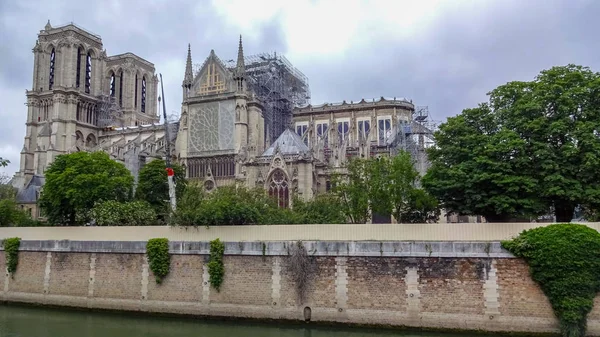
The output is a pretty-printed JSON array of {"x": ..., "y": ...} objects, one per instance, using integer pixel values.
[{"x": 476, "y": 168}]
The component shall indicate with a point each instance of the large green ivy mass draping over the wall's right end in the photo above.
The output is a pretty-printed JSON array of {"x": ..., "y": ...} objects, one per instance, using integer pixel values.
[{"x": 564, "y": 259}]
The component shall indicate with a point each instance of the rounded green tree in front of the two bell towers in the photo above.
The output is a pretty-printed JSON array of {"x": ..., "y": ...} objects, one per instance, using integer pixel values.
[{"x": 76, "y": 181}]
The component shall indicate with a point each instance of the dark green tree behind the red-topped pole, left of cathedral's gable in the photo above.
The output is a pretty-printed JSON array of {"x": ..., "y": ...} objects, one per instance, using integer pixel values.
[{"x": 153, "y": 186}]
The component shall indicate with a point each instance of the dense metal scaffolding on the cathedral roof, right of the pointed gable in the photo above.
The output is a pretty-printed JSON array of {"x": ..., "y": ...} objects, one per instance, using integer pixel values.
[{"x": 279, "y": 86}]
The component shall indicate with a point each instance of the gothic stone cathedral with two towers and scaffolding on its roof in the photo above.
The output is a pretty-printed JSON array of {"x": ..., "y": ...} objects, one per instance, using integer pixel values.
[{"x": 246, "y": 121}]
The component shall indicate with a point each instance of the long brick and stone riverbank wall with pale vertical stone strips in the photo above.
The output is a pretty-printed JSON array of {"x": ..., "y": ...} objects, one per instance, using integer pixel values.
[{"x": 431, "y": 284}]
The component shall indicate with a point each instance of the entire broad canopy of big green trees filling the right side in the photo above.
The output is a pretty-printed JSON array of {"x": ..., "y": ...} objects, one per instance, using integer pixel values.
[{"x": 533, "y": 147}]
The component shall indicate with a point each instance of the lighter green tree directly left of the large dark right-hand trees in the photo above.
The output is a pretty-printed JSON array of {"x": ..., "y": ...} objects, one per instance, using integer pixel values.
[{"x": 386, "y": 185}]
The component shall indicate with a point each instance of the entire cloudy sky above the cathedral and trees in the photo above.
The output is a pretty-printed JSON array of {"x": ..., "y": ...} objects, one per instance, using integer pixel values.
[{"x": 442, "y": 54}]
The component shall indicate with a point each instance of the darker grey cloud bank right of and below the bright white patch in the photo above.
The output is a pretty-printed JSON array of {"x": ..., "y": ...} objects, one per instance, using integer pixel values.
[{"x": 453, "y": 64}]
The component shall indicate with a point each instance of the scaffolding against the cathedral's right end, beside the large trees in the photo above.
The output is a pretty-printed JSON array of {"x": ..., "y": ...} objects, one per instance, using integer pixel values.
[{"x": 415, "y": 137}]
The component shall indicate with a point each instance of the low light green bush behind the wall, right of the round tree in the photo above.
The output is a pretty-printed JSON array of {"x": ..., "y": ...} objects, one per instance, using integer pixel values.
[{"x": 114, "y": 213}]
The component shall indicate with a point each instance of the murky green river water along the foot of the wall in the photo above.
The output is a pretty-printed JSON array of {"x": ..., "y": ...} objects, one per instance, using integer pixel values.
[{"x": 18, "y": 321}]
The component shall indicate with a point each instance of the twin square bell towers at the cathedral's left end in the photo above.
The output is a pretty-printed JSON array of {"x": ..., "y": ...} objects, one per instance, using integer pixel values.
[{"x": 81, "y": 99}]
